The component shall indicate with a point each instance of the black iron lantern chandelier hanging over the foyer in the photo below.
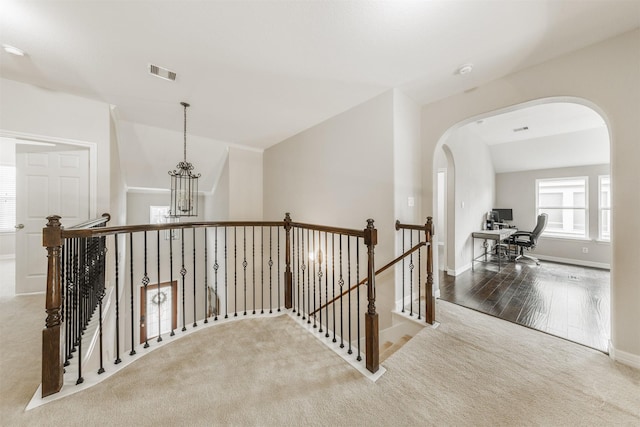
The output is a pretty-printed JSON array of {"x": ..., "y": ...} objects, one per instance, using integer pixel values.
[{"x": 184, "y": 183}]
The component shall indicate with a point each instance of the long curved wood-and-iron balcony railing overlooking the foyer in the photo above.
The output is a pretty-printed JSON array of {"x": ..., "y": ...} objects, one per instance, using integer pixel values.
[{"x": 202, "y": 271}]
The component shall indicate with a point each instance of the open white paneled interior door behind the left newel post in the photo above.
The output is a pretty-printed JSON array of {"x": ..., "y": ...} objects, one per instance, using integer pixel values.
[{"x": 47, "y": 183}]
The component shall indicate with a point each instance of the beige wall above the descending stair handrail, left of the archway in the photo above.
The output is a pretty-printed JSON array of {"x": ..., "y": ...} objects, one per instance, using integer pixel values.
[{"x": 341, "y": 172}]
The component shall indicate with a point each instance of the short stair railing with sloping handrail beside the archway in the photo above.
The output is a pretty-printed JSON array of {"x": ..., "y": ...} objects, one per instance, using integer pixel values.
[{"x": 413, "y": 232}]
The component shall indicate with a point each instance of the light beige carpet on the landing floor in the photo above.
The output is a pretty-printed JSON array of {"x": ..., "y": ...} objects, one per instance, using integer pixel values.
[{"x": 472, "y": 370}]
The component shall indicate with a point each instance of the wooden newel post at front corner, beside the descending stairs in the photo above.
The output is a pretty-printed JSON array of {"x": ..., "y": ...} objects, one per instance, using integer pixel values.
[{"x": 371, "y": 317}]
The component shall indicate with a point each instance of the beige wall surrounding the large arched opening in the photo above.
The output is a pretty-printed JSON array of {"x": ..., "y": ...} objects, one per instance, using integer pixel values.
[{"x": 605, "y": 76}]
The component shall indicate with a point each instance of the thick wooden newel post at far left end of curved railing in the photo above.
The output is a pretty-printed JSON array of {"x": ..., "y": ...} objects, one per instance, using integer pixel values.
[{"x": 52, "y": 370}]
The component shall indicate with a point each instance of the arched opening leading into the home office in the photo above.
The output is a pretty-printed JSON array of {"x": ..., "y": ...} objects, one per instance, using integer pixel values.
[{"x": 546, "y": 156}]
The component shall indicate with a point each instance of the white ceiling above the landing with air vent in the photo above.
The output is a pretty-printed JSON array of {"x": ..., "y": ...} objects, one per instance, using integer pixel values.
[{"x": 258, "y": 72}]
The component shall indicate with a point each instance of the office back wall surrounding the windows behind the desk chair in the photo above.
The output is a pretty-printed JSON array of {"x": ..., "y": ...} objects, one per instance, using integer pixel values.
[{"x": 516, "y": 190}]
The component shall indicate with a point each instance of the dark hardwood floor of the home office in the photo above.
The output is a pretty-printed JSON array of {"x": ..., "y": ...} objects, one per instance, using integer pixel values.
[{"x": 567, "y": 301}]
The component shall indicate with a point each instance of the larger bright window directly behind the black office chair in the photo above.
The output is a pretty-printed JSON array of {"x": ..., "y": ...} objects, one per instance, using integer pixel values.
[{"x": 565, "y": 202}]
